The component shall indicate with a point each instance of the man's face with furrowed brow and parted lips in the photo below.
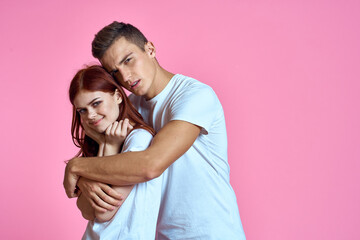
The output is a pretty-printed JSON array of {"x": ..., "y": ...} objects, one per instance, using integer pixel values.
[{"x": 134, "y": 68}]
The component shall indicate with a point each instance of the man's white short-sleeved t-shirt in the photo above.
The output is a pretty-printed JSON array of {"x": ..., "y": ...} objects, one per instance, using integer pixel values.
[{"x": 197, "y": 199}]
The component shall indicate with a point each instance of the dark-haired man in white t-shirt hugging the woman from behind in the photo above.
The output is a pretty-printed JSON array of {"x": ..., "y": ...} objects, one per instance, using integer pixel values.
[{"x": 191, "y": 143}]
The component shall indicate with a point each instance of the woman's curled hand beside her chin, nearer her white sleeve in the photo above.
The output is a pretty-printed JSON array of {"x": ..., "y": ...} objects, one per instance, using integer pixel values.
[{"x": 116, "y": 133}]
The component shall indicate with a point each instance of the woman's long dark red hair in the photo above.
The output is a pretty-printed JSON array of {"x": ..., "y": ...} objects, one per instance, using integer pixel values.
[{"x": 95, "y": 78}]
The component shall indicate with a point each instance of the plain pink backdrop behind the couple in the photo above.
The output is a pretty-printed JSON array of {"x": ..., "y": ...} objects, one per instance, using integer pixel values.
[{"x": 286, "y": 72}]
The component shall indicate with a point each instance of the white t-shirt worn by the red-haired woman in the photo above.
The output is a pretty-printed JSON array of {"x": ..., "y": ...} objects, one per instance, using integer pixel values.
[{"x": 137, "y": 217}]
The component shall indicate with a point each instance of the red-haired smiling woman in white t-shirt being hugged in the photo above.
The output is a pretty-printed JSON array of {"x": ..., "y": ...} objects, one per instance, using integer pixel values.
[{"x": 102, "y": 116}]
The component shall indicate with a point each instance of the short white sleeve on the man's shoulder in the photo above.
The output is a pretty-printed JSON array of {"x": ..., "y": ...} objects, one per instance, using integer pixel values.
[{"x": 197, "y": 104}]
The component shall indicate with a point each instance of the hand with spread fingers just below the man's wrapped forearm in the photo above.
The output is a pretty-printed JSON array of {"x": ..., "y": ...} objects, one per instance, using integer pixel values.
[{"x": 101, "y": 196}]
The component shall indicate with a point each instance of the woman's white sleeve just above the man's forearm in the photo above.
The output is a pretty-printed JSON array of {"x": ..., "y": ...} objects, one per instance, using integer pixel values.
[{"x": 138, "y": 140}]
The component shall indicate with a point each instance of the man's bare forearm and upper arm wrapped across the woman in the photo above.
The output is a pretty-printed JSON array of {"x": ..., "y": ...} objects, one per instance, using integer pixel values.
[{"x": 171, "y": 142}]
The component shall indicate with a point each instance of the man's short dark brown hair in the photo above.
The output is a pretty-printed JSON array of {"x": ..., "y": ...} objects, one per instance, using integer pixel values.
[{"x": 106, "y": 36}]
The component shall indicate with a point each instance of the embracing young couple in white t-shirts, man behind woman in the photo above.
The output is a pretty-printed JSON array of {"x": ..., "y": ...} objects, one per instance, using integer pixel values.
[{"x": 154, "y": 165}]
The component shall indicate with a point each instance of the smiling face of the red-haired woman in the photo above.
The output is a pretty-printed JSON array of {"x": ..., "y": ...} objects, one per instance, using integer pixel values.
[{"x": 97, "y": 109}]
